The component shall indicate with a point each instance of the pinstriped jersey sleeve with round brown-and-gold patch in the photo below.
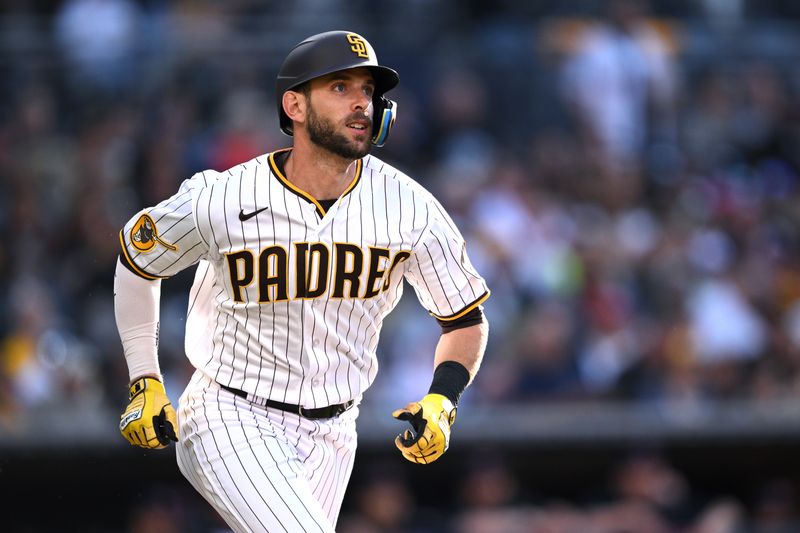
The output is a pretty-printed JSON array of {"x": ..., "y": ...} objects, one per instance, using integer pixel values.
[{"x": 160, "y": 241}]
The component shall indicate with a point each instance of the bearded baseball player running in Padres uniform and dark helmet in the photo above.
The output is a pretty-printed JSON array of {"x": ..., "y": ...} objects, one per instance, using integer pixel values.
[{"x": 300, "y": 255}]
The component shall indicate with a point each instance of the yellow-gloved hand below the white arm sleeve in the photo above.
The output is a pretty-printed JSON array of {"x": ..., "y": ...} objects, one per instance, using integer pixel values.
[{"x": 149, "y": 421}]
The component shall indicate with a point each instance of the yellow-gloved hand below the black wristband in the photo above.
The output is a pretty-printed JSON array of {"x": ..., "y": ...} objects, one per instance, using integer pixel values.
[{"x": 429, "y": 436}]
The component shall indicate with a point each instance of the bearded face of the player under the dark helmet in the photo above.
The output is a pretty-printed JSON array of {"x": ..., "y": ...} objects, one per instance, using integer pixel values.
[{"x": 340, "y": 112}]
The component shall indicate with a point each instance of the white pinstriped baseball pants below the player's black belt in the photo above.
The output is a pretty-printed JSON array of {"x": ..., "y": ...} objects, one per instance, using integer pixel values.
[{"x": 263, "y": 469}]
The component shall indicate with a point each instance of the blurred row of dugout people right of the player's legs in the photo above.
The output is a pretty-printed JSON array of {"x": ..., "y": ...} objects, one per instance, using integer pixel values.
[{"x": 642, "y": 493}]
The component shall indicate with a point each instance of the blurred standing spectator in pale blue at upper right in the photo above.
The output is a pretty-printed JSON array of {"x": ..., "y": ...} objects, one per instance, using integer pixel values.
[{"x": 620, "y": 77}]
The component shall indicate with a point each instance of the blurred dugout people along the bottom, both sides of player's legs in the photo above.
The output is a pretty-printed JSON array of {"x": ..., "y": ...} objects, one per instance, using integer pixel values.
[{"x": 640, "y": 493}]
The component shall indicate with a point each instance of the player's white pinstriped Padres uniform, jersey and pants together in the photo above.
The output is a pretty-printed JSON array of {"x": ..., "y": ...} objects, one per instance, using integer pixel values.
[{"x": 287, "y": 305}]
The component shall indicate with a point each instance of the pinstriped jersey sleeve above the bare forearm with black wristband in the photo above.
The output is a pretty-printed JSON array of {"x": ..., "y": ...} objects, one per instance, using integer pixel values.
[{"x": 440, "y": 271}]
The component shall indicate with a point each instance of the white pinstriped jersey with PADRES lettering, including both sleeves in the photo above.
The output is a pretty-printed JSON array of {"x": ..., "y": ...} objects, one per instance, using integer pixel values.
[{"x": 288, "y": 299}]
